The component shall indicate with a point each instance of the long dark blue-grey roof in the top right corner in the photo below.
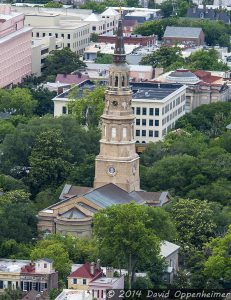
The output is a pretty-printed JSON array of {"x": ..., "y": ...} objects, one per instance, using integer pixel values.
[{"x": 211, "y": 14}]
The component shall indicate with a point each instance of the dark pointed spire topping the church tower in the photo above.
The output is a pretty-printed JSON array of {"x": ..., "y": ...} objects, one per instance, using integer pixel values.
[{"x": 119, "y": 53}]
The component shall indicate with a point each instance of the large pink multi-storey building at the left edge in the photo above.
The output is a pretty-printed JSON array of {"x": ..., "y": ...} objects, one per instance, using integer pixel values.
[{"x": 15, "y": 47}]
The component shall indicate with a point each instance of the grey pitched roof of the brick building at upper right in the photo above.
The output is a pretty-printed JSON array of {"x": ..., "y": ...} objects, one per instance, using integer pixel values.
[{"x": 180, "y": 32}]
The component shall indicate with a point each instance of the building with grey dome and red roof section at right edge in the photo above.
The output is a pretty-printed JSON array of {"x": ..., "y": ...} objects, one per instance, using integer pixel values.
[{"x": 203, "y": 87}]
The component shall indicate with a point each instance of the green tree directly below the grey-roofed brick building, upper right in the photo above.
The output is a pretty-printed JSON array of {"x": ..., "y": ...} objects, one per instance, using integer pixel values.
[{"x": 163, "y": 57}]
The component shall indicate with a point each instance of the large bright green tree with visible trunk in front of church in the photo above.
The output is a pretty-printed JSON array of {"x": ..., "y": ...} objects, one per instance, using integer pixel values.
[{"x": 127, "y": 235}]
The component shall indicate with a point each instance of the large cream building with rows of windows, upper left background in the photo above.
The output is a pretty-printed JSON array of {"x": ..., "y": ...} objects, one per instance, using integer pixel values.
[{"x": 74, "y": 32}]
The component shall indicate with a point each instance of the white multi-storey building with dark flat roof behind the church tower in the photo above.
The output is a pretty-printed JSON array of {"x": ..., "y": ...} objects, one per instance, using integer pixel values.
[{"x": 157, "y": 107}]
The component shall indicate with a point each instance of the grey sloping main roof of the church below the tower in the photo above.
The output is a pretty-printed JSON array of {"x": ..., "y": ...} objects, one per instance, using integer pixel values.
[{"x": 108, "y": 195}]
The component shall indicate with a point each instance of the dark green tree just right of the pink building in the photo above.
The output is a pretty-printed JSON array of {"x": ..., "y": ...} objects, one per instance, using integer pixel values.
[{"x": 61, "y": 61}]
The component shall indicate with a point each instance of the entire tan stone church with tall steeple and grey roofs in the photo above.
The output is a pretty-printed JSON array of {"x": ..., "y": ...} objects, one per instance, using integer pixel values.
[{"x": 117, "y": 179}]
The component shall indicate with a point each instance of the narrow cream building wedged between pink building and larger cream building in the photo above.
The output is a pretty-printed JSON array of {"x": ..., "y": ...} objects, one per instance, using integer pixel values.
[{"x": 41, "y": 48}]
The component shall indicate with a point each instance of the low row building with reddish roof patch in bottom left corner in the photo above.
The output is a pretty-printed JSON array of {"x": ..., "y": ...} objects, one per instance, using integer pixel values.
[{"x": 25, "y": 275}]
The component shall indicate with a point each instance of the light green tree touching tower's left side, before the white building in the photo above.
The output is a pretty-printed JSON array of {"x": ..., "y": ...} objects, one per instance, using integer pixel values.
[{"x": 89, "y": 108}]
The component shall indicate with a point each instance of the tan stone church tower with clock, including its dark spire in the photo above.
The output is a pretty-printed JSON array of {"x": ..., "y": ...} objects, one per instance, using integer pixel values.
[{"x": 118, "y": 161}]
